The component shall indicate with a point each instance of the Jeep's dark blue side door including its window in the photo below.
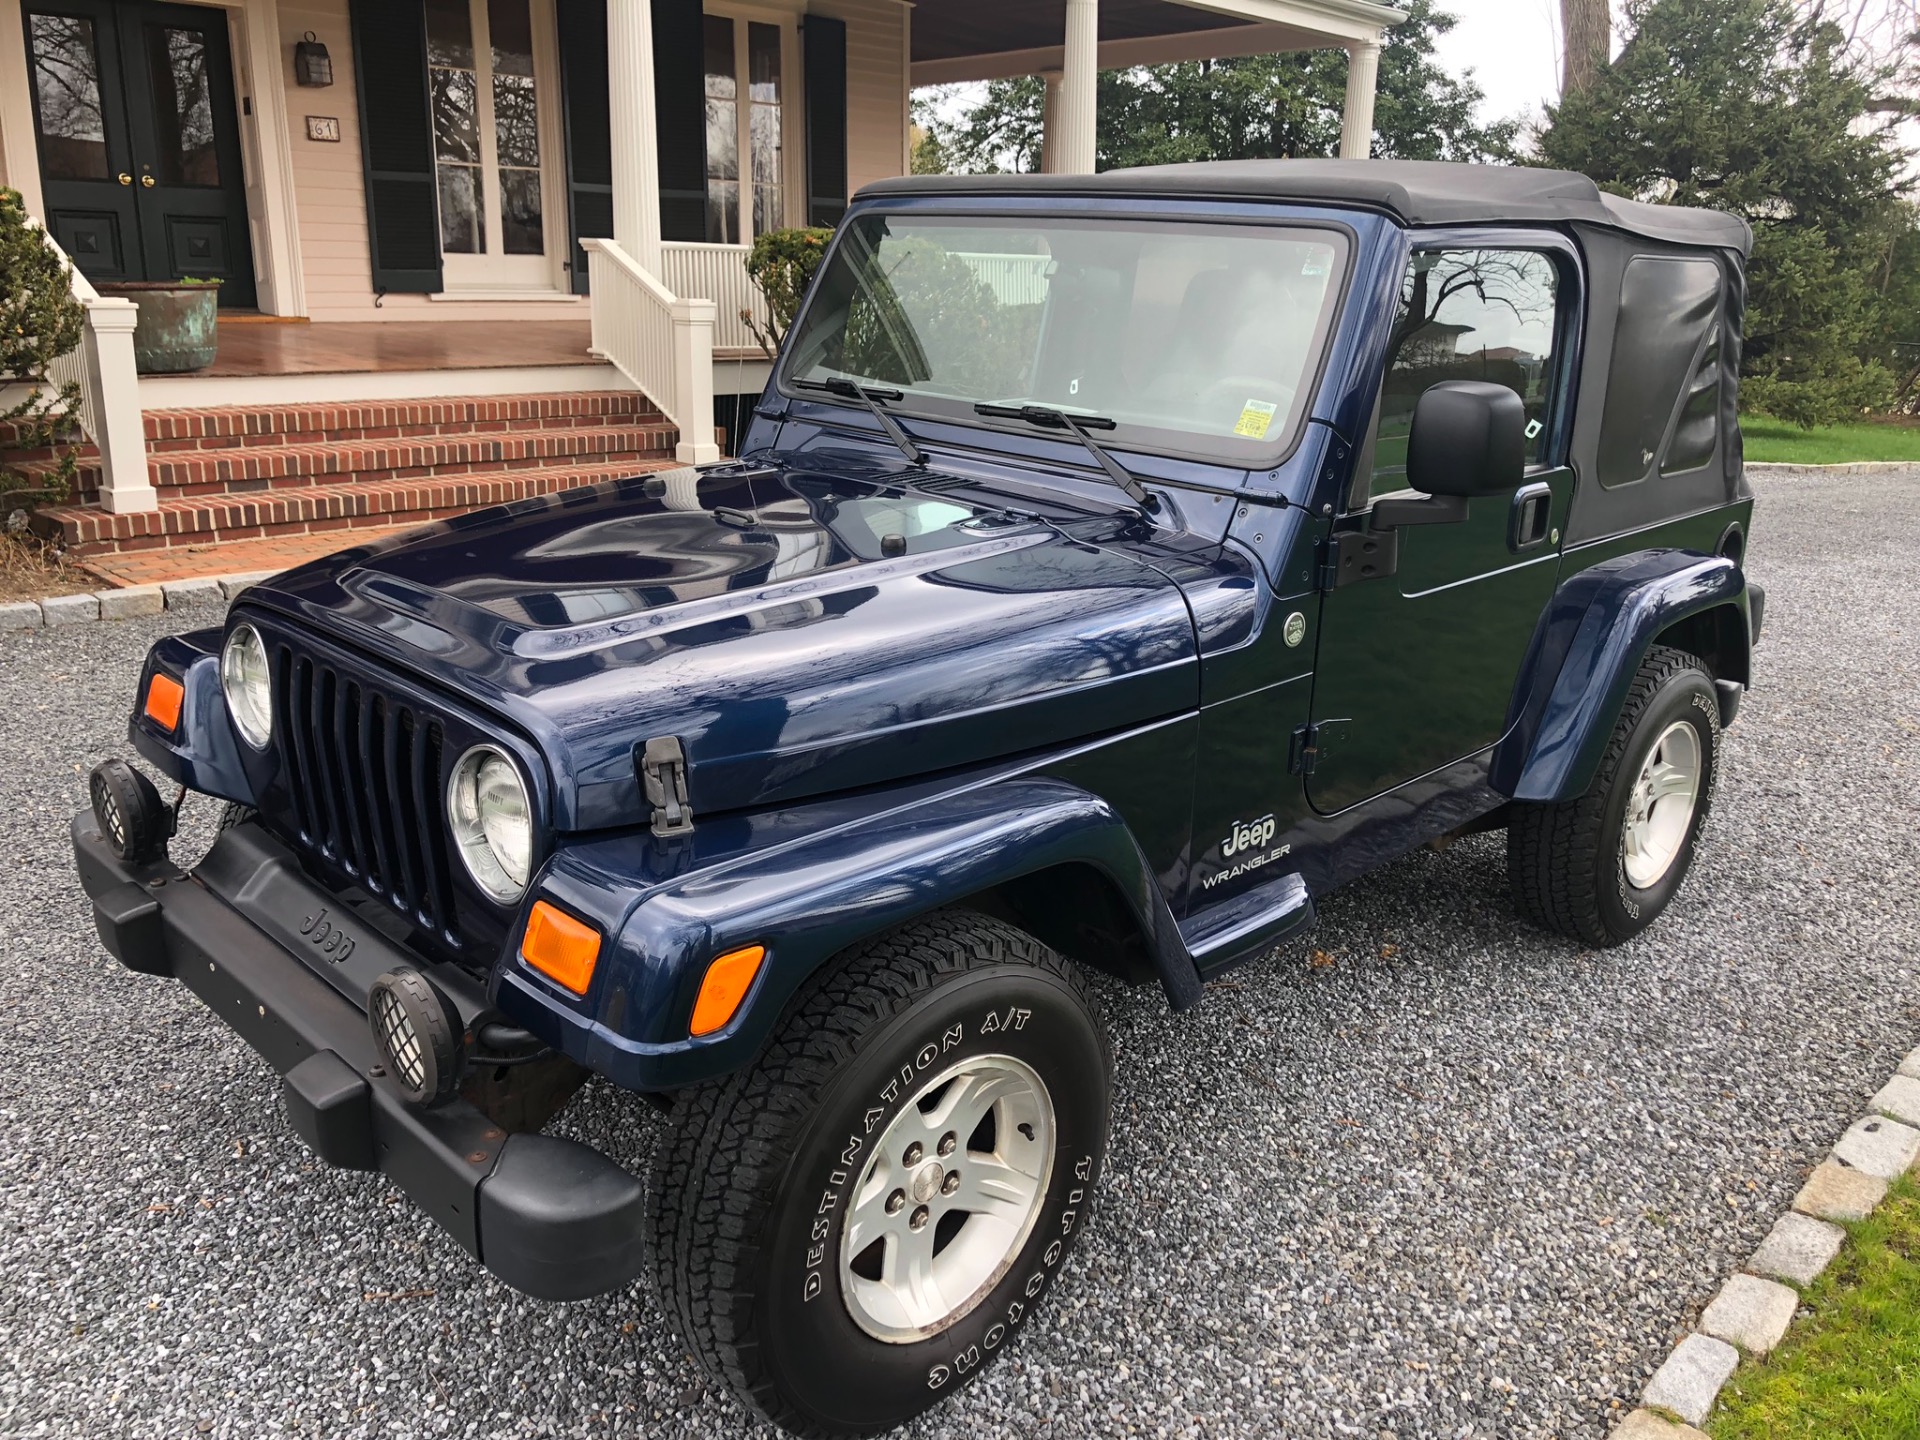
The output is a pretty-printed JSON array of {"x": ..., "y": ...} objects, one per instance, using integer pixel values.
[{"x": 1416, "y": 667}]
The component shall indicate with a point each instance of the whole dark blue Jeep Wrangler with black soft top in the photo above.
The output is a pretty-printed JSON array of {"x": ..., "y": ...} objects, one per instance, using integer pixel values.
[{"x": 1113, "y": 567}]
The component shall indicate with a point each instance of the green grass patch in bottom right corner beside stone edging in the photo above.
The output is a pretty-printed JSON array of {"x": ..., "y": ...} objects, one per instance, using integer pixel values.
[{"x": 1850, "y": 1368}]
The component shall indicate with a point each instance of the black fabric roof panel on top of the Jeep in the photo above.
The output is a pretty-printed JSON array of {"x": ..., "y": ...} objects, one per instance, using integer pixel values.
[{"x": 1412, "y": 191}]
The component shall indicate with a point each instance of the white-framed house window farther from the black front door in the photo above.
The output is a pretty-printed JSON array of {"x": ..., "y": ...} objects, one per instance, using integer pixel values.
[{"x": 744, "y": 122}]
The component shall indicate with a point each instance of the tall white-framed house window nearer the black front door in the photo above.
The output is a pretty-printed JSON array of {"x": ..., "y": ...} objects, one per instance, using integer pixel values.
[{"x": 489, "y": 91}]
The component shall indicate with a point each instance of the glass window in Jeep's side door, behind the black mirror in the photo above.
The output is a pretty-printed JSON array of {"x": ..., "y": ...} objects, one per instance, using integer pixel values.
[{"x": 1470, "y": 316}]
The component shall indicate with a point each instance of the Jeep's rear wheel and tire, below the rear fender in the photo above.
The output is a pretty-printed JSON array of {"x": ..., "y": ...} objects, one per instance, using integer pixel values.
[{"x": 1604, "y": 867}]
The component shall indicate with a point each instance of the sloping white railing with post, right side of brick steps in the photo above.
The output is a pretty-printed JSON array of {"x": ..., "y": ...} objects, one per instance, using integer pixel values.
[{"x": 660, "y": 343}]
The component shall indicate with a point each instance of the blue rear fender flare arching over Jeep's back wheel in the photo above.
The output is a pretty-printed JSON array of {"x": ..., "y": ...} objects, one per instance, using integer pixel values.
[{"x": 1585, "y": 656}]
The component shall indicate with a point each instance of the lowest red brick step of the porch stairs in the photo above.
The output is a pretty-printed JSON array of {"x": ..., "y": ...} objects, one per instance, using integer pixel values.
[{"x": 312, "y": 510}]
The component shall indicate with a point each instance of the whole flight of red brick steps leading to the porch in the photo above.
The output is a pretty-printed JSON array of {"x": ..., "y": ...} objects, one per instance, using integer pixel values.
[{"x": 277, "y": 471}]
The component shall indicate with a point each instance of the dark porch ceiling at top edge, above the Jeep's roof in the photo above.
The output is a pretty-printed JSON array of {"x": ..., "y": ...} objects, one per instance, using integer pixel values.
[{"x": 992, "y": 39}]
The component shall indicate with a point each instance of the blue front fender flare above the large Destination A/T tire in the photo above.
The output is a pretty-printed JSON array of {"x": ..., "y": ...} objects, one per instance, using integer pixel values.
[{"x": 807, "y": 901}]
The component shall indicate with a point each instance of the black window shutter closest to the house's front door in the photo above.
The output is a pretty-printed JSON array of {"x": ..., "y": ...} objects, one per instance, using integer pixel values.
[{"x": 396, "y": 145}]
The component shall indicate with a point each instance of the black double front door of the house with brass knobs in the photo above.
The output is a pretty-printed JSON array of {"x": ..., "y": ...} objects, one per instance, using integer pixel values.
[{"x": 139, "y": 143}]
